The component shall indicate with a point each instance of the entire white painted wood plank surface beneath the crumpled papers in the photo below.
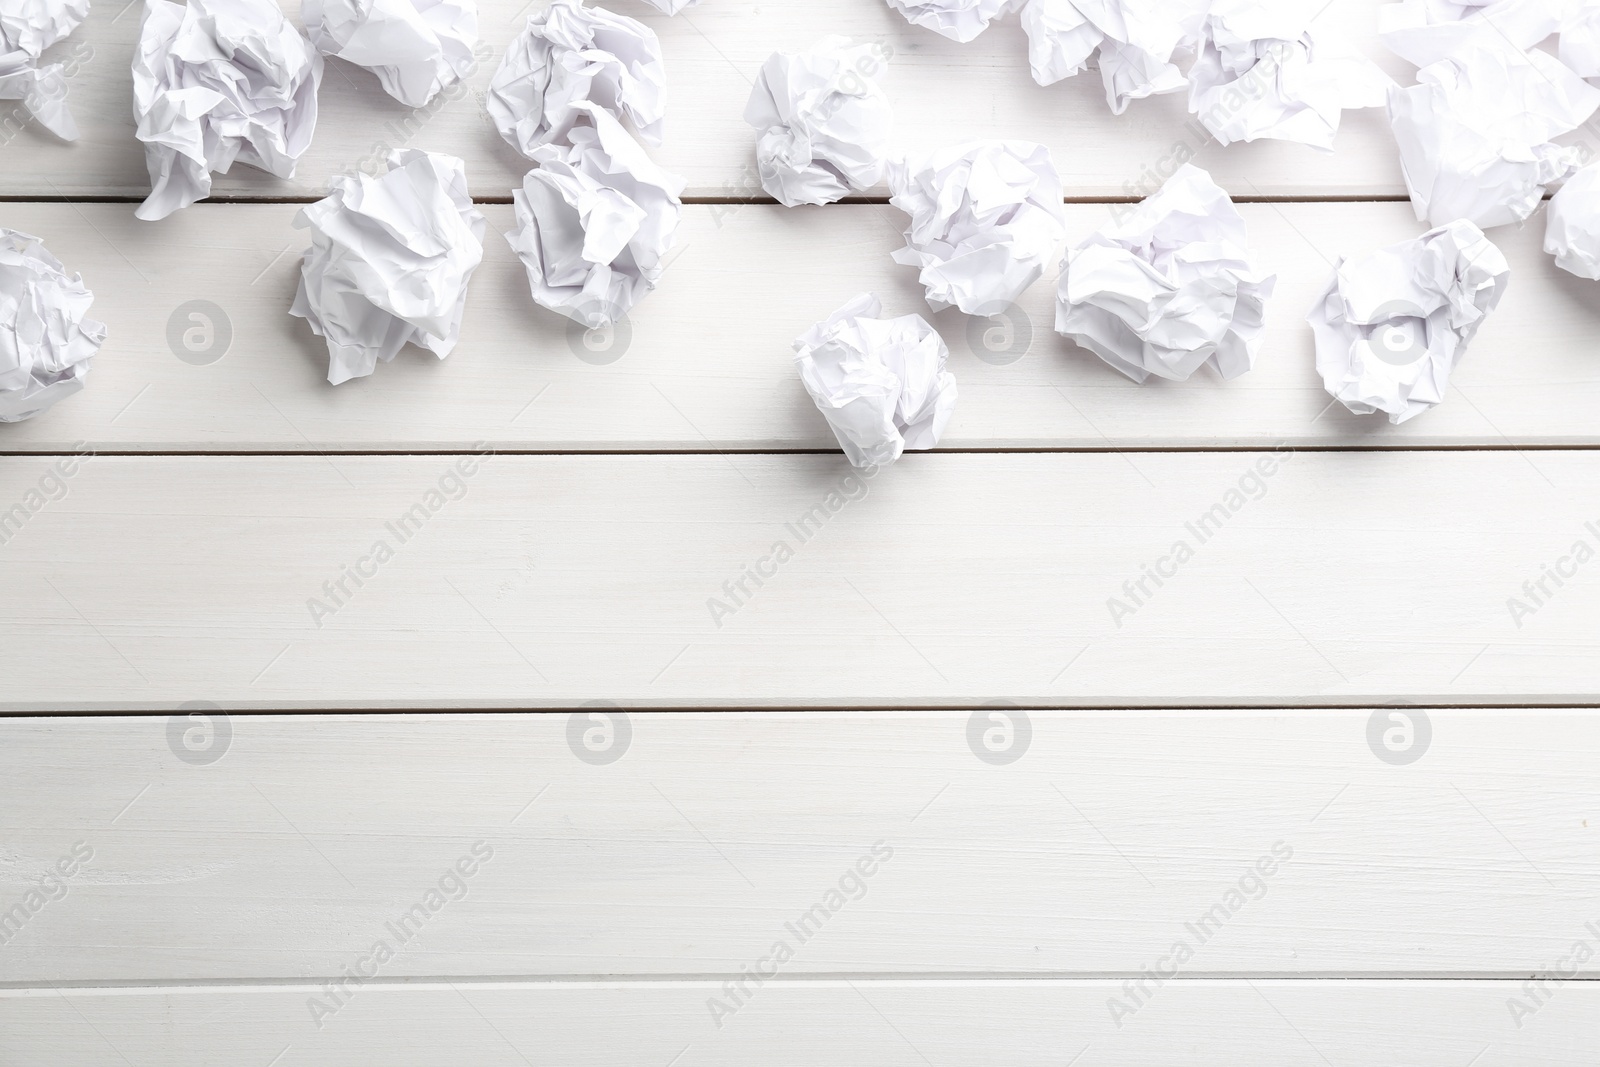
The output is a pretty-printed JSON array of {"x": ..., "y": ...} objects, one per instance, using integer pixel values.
[{"x": 1020, "y": 898}]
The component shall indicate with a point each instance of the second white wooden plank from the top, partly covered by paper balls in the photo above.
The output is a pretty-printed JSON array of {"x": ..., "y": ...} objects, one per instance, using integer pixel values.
[{"x": 708, "y": 361}]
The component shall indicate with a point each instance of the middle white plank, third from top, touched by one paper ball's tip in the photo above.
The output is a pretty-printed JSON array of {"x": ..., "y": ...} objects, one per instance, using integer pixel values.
[{"x": 1343, "y": 578}]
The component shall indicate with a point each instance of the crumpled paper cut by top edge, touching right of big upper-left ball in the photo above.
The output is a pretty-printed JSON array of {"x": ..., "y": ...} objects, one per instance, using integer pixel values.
[{"x": 415, "y": 47}]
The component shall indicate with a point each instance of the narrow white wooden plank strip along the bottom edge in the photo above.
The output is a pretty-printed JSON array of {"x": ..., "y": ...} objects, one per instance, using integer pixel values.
[{"x": 801, "y": 1025}]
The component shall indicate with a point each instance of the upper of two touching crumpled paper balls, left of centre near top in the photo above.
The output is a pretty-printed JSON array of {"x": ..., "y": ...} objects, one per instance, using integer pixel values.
[{"x": 570, "y": 55}]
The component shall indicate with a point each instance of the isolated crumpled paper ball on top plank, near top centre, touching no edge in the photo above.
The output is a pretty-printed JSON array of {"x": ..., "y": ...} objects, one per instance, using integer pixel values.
[{"x": 825, "y": 122}]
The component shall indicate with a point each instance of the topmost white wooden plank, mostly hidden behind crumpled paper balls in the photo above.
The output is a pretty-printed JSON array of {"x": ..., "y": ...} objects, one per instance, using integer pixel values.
[{"x": 943, "y": 94}]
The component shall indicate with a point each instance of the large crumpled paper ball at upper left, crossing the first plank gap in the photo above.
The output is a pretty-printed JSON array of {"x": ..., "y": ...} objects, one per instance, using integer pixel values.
[{"x": 218, "y": 82}]
